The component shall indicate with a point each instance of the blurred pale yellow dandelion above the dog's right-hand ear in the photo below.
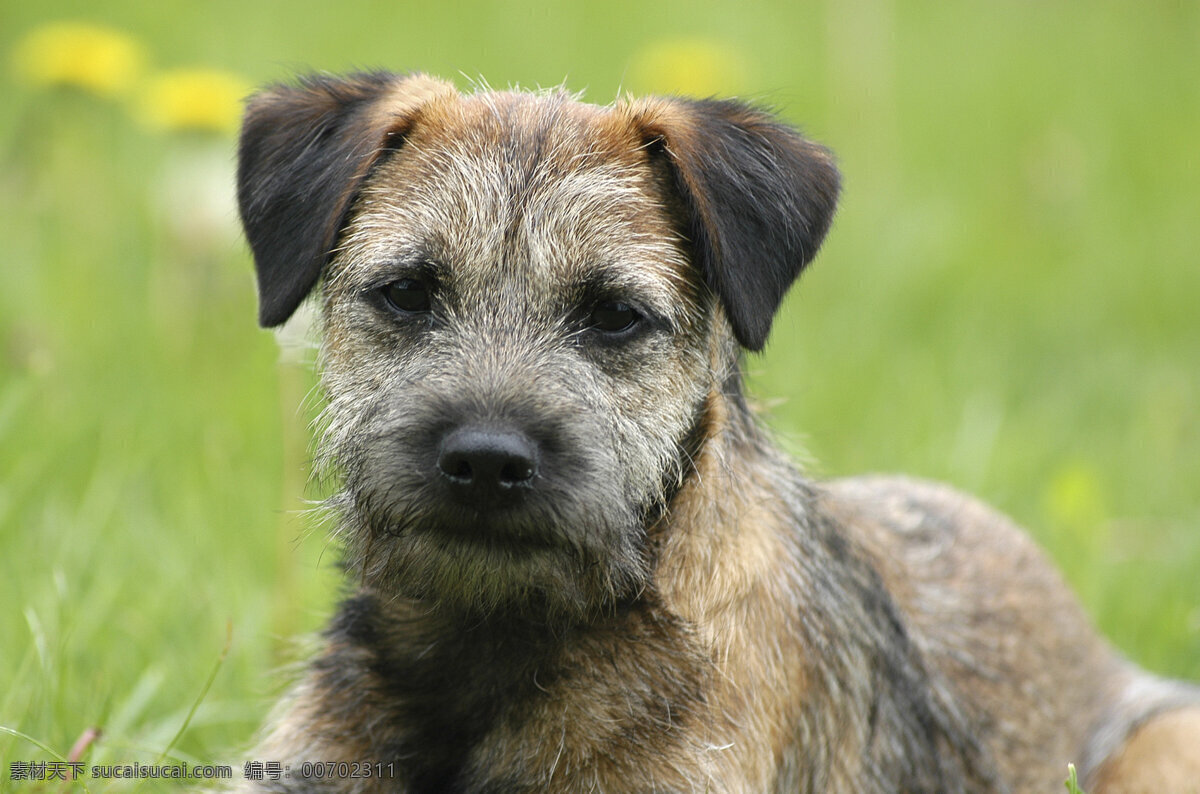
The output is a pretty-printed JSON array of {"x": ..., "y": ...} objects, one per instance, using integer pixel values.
[{"x": 688, "y": 67}]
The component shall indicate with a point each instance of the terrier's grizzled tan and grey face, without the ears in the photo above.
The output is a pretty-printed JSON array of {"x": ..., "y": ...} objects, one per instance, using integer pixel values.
[{"x": 506, "y": 312}]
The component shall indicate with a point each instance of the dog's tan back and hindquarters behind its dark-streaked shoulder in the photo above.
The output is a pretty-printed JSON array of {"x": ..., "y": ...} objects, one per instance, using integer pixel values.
[{"x": 1001, "y": 631}]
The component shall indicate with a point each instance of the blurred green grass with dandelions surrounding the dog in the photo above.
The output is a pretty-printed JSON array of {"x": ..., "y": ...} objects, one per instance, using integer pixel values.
[{"x": 1007, "y": 303}]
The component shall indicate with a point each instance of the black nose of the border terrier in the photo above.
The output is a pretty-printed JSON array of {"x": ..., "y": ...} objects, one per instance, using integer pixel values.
[{"x": 483, "y": 464}]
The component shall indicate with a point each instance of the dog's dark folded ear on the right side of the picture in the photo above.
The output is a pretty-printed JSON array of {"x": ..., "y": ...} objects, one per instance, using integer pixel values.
[{"x": 759, "y": 201}]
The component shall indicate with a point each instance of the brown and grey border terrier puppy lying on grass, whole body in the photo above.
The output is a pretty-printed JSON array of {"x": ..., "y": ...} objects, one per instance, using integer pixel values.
[{"x": 581, "y": 564}]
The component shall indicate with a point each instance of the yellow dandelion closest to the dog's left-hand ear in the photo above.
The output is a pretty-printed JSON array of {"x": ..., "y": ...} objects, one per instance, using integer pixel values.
[{"x": 195, "y": 99}]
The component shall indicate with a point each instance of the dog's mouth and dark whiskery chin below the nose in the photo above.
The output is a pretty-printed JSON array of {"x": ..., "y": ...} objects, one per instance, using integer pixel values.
[{"x": 503, "y": 564}]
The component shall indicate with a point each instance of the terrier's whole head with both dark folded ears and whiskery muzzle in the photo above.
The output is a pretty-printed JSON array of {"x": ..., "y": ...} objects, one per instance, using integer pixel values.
[{"x": 532, "y": 306}]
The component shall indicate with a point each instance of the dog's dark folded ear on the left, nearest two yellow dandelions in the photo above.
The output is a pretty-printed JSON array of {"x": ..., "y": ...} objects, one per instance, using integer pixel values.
[{"x": 305, "y": 151}]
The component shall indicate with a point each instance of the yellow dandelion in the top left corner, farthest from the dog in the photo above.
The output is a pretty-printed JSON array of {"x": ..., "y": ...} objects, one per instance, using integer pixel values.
[{"x": 81, "y": 56}]
